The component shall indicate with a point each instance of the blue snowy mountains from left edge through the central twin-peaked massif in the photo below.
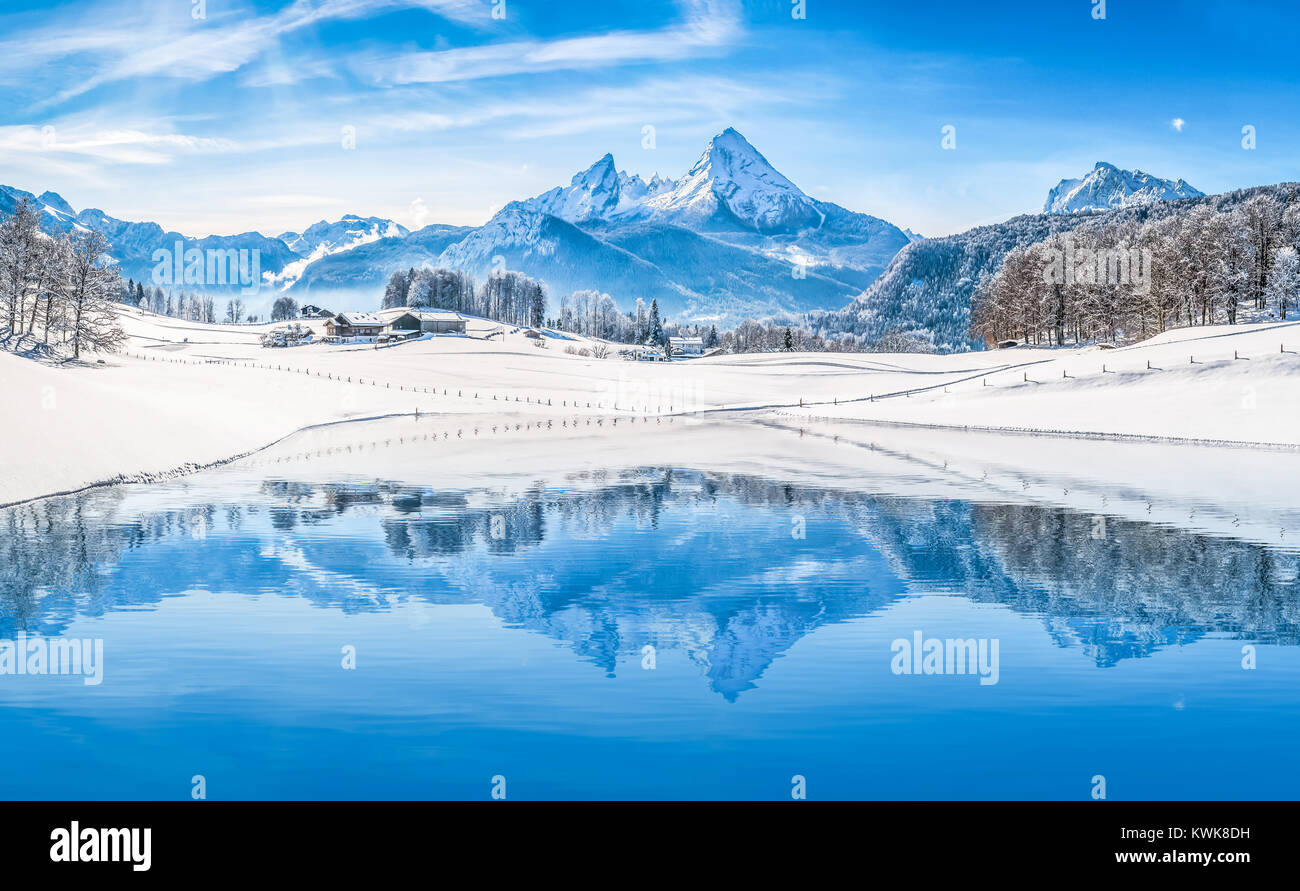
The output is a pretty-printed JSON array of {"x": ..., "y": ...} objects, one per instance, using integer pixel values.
[{"x": 733, "y": 239}]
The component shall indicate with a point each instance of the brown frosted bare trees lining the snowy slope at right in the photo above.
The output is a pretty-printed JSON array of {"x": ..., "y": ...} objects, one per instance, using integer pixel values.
[{"x": 1125, "y": 280}]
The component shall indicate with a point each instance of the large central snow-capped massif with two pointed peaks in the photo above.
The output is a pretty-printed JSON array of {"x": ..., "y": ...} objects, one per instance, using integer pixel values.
[{"x": 746, "y": 240}]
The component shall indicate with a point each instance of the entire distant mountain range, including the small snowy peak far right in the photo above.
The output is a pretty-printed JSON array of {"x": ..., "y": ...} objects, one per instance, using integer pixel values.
[{"x": 733, "y": 239}]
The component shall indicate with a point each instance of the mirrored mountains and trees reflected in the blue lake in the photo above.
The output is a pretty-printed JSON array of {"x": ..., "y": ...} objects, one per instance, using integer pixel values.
[{"x": 731, "y": 570}]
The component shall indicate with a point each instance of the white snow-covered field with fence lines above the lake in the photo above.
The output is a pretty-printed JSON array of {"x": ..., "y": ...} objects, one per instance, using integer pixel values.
[{"x": 185, "y": 396}]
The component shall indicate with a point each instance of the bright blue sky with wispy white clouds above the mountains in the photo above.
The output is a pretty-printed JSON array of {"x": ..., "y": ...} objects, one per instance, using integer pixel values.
[{"x": 237, "y": 119}]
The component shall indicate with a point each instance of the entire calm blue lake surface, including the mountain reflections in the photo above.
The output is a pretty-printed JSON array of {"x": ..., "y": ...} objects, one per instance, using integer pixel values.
[{"x": 505, "y": 634}]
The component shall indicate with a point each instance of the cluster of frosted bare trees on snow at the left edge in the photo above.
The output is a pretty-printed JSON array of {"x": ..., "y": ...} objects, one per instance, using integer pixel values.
[{"x": 63, "y": 286}]
